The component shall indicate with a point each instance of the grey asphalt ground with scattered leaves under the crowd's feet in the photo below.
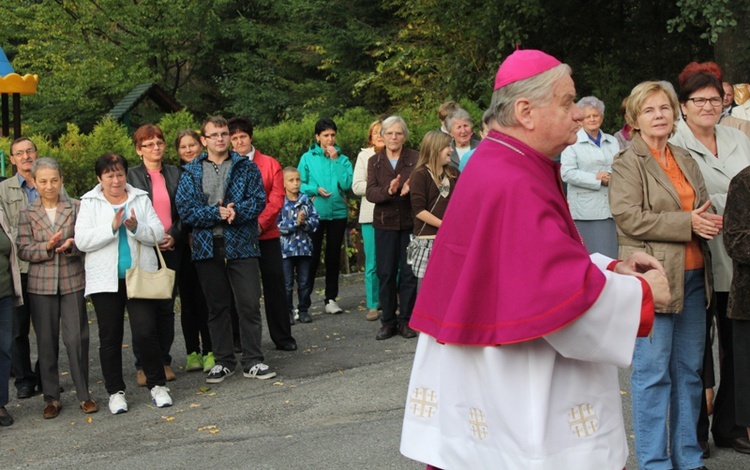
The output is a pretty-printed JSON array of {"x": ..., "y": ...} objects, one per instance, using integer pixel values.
[{"x": 337, "y": 403}]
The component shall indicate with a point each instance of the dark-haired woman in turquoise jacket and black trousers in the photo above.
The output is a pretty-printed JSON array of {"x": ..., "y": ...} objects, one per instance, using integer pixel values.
[{"x": 326, "y": 175}]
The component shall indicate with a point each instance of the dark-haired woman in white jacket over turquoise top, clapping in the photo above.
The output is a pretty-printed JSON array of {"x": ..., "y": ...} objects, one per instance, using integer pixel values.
[{"x": 115, "y": 217}]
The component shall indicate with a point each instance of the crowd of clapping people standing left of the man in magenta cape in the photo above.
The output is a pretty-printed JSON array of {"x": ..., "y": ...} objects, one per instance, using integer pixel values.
[{"x": 230, "y": 222}]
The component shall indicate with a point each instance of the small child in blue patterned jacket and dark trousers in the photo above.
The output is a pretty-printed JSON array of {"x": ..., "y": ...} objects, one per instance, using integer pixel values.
[{"x": 297, "y": 220}]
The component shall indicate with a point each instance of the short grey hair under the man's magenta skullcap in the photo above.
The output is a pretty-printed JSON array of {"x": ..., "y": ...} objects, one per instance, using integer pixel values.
[{"x": 537, "y": 89}]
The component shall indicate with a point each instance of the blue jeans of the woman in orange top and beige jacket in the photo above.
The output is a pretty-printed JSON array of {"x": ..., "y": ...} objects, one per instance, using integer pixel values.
[{"x": 666, "y": 384}]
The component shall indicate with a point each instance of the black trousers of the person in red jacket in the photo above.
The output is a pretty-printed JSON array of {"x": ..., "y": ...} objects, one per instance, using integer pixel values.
[{"x": 274, "y": 292}]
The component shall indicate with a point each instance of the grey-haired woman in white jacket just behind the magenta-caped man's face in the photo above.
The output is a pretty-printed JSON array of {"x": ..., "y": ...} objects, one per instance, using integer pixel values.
[{"x": 586, "y": 168}]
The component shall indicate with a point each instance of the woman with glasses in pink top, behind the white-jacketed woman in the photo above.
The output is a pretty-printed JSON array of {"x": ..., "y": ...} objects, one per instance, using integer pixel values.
[{"x": 160, "y": 182}]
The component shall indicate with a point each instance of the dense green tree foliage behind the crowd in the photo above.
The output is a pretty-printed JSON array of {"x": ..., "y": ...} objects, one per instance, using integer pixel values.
[{"x": 300, "y": 59}]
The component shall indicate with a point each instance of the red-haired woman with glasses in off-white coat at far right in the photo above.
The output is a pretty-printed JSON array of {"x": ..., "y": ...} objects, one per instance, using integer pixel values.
[{"x": 721, "y": 153}]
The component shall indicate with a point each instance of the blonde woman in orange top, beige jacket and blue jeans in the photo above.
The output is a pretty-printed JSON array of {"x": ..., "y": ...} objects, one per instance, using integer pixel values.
[{"x": 660, "y": 205}]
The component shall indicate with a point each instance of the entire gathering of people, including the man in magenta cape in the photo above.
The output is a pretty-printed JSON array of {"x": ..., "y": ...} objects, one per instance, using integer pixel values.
[{"x": 537, "y": 272}]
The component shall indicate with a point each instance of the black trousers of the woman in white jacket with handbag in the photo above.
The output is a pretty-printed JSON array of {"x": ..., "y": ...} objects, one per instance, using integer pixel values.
[{"x": 142, "y": 313}]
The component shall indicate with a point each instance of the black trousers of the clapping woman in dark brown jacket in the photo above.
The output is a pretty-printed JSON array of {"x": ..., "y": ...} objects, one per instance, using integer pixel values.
[{"x": 395, "y": 276}]
